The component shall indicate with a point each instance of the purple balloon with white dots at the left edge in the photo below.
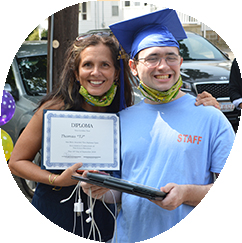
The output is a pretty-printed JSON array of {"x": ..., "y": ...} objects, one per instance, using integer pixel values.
[{"x": 7, "y": 108}]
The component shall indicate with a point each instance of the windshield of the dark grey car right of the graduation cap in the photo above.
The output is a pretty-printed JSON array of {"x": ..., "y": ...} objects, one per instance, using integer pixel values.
[{"x": 196, "y": 47}]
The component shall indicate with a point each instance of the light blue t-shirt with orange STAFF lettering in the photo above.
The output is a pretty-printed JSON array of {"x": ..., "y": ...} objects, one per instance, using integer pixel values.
[{"x": 176, "y": 142}]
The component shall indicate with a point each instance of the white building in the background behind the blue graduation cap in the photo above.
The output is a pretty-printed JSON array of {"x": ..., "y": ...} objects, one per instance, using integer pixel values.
[{"x": 100, "y": 14}]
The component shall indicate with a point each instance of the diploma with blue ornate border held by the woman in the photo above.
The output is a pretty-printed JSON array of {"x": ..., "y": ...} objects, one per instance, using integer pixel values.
[{"x": 70, "y": 137}]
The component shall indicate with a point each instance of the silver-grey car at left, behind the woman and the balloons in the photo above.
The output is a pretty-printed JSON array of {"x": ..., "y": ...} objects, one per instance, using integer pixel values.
[{"x": 26, "y": 81}]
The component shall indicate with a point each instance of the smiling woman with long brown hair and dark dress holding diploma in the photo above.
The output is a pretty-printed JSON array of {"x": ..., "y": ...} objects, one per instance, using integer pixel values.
[{"x": 89, "y": 82}]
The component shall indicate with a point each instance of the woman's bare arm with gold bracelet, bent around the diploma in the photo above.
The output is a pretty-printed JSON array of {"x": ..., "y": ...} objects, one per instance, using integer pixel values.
[{"x": 27, "y": 146}]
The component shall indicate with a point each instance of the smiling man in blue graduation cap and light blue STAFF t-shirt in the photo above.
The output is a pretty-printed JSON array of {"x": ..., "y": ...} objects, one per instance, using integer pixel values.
[{"x": 166, "y": 141}]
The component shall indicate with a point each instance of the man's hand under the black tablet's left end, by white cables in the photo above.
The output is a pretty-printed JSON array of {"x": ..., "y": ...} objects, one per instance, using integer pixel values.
[{"x": 97, "y": 191}]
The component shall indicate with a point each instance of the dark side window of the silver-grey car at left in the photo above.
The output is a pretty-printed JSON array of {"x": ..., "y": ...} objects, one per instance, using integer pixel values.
[{"x": 33, "y": 73}]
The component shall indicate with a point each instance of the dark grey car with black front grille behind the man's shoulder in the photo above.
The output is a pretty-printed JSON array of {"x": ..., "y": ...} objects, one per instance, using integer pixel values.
[{"x": 206, "y": 68}]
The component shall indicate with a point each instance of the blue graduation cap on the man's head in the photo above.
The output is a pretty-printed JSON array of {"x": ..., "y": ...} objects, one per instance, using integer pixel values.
[{"x": 161, "y": 28}]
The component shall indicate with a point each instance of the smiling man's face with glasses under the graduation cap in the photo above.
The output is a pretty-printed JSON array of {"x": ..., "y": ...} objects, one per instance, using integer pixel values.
[{"x": 163, "y": 76}]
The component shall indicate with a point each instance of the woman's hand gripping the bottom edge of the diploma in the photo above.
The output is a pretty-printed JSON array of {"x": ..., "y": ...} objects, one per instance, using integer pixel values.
[{"x": 64, "y": 179}]
